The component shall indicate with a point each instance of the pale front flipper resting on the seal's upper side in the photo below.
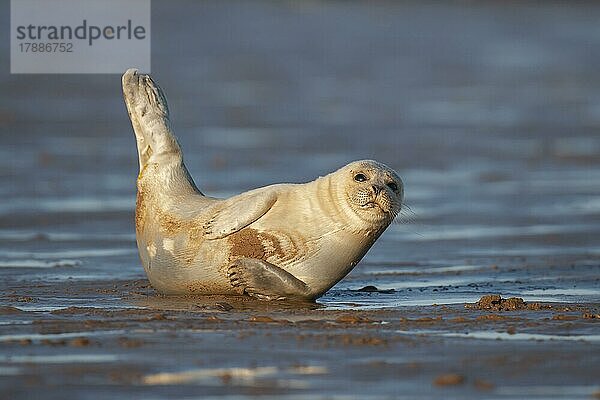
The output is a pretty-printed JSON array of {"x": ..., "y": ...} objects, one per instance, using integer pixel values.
[{"x": 238, "y": 212}]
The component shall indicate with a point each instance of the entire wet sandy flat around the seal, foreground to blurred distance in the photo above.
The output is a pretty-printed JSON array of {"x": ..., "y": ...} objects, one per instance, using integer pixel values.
[{"x": 489, "y": 112}]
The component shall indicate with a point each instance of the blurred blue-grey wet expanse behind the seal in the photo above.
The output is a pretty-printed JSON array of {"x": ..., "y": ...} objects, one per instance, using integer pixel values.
[{"x": 490, "y": 111}]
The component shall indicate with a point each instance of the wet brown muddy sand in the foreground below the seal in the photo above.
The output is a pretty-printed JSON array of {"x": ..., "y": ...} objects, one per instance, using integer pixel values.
[{"x": 173, "y": 347}]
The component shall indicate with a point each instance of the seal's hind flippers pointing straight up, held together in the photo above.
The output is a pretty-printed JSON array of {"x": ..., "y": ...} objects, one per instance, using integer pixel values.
[{"x": 149, "y": 114}]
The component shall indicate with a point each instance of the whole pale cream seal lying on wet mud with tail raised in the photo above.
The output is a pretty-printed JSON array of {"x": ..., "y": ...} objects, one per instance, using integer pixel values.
[{"x": 292, "y": 241}]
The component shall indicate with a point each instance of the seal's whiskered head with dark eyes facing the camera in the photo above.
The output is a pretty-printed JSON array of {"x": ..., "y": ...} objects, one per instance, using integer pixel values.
[{"x": 373, "y": 191}]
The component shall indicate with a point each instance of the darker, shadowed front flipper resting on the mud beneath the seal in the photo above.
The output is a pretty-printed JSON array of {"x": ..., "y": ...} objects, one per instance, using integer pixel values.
[{"x": 265, "y": 281}]
